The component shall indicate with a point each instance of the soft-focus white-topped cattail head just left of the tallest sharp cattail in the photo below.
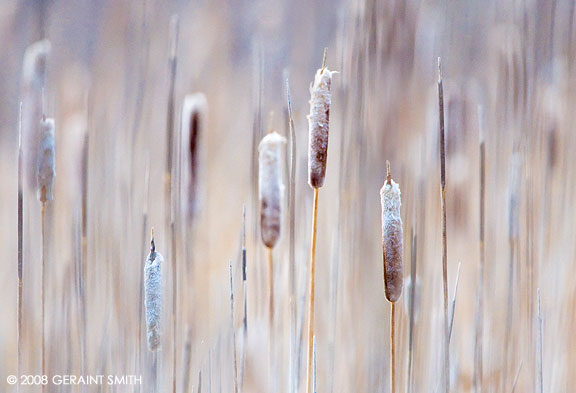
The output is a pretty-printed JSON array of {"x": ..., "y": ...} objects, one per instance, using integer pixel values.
[{"x": 270, "y": 187}]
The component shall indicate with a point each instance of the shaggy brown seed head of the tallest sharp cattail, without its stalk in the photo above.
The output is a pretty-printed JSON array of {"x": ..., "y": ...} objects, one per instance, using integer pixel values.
[{"x": 318, "y": 127}]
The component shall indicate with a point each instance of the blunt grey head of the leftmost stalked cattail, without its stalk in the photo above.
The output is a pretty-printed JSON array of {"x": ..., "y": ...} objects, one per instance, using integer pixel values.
[{"x": 45, "y": 170}]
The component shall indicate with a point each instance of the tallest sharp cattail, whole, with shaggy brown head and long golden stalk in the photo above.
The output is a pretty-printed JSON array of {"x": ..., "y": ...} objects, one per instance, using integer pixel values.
[{"x": 318, "y": 127}]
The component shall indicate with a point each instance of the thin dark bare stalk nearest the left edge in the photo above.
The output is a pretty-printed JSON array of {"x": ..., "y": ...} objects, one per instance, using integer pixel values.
[{"x": 20, "y": 246}]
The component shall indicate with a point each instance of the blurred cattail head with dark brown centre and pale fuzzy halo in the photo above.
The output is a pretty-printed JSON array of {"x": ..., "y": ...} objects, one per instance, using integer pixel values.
[{"x": 193, "y": 122}]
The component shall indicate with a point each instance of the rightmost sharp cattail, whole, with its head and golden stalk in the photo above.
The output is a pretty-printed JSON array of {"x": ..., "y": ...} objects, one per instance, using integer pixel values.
[{"x": 392, "y": 253}]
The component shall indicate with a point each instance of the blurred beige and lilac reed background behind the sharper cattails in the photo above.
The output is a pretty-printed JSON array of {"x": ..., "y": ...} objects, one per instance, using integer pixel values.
[{"x": 508, "y": 70}]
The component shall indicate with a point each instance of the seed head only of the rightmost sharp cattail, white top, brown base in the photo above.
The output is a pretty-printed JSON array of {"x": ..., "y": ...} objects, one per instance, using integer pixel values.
[{"x": 392, "y": 239}]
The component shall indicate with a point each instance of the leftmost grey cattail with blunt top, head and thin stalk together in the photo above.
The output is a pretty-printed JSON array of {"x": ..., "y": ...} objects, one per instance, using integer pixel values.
[{"x": 45, "y": 176}]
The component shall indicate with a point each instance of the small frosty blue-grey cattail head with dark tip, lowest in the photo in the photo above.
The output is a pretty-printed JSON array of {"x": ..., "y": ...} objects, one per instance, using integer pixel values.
[{"x": 153, "y": 296}]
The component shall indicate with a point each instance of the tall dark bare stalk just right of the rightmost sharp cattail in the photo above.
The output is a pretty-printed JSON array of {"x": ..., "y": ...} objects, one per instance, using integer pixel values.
[{"x": 444, "y": 240}]
